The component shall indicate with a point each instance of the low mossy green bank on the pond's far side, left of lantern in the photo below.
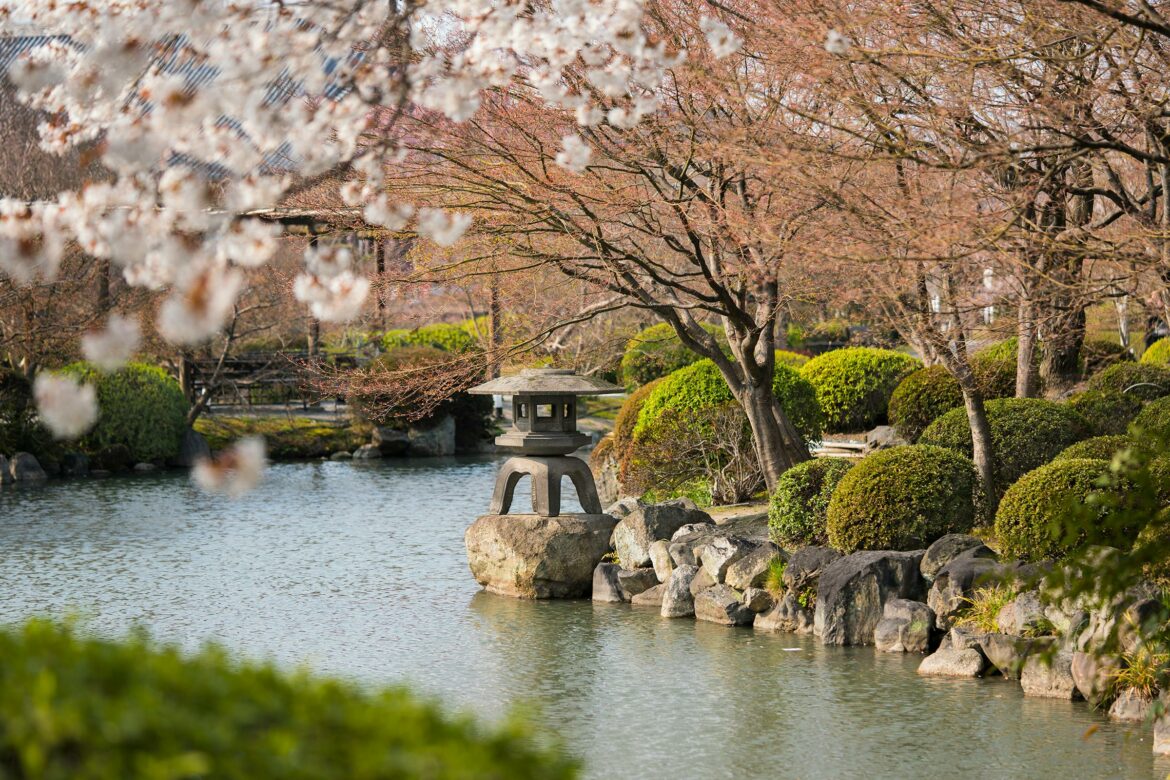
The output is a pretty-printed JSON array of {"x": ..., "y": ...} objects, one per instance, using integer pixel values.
[{"x": 287, "y": 438}]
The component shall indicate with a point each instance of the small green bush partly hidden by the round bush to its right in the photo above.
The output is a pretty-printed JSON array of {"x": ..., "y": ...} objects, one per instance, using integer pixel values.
[{"x": 799, "y": 508}]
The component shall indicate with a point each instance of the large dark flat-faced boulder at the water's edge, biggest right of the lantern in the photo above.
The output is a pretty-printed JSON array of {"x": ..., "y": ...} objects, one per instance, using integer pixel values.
[{"x": 854, "y": 591}]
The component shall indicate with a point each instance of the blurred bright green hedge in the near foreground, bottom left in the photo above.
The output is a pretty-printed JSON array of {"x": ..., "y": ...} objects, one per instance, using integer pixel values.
[{"x": 87, "y": 708}]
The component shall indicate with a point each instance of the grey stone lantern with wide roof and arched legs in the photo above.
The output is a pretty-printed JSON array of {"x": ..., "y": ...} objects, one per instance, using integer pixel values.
[{"x": 543, "y": 437}]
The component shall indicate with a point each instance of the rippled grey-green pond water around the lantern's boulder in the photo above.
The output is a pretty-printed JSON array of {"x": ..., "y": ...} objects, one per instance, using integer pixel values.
[{"x": 360, "y": 570}]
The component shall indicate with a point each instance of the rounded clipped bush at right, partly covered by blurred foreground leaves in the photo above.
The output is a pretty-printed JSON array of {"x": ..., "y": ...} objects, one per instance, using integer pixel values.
[{"x": 1031, "y": 523}]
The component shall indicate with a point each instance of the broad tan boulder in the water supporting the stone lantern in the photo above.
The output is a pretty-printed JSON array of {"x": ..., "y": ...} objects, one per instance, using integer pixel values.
[{"x": 533, "y": 557}]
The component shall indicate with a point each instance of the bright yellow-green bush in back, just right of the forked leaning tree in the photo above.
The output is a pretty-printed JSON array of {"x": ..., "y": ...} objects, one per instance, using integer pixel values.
[{"x": 854, "y": 385}]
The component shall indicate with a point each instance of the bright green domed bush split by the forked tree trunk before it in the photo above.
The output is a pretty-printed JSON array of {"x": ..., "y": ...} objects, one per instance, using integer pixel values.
[{"x": 700, "y": 385}]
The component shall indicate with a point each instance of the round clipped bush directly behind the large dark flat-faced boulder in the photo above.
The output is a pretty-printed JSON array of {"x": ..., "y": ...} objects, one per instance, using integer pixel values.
[{"x": 903, "y": 499}]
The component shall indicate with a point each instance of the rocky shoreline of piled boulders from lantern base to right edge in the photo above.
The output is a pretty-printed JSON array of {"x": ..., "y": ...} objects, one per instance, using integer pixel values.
[{"x": 677, "y": 558}]
